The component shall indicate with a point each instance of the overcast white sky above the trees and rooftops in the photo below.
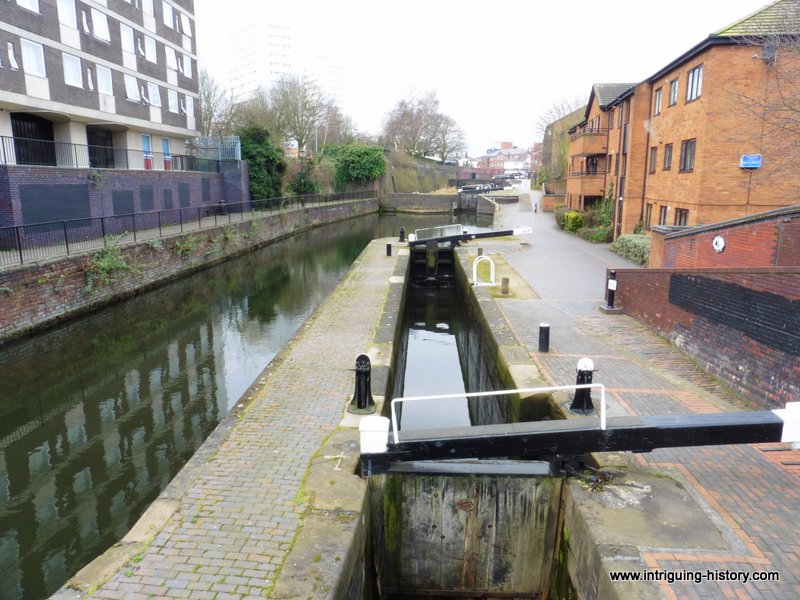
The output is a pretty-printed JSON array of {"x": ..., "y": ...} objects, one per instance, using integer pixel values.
[{"x": 496, "y": 67}]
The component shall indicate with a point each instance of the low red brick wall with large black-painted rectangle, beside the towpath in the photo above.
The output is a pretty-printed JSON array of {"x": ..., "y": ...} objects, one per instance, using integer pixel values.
[{"x": 742, "y": 325}]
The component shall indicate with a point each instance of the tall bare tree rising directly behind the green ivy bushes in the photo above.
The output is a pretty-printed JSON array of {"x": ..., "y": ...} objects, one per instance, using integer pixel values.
[{"x": 298, "y": 106}]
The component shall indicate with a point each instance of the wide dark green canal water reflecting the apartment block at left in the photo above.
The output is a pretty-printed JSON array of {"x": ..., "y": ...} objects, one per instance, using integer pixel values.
[{"x": 98, "y": 415}]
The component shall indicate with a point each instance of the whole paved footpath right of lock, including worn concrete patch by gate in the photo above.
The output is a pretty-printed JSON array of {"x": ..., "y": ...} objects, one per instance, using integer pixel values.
[{"x": 727, "y": 516}]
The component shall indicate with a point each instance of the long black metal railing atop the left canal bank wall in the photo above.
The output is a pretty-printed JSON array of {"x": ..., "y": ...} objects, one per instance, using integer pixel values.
[{"x": 41, "y": 241}]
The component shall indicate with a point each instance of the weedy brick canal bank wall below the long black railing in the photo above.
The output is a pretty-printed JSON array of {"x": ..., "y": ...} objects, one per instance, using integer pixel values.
[{"x": 34, "y": 297}]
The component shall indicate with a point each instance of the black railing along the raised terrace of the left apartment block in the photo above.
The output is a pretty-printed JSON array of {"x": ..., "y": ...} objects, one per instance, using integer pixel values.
[{"x": 44, "y": 153}]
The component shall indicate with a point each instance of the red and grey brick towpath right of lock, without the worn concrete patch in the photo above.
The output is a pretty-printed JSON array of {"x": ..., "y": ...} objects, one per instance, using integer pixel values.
[{"x": 750, "y": 493}]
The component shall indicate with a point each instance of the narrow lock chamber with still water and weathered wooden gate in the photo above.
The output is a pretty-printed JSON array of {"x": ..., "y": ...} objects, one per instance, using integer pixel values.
[{"x": 462, "y": 529}]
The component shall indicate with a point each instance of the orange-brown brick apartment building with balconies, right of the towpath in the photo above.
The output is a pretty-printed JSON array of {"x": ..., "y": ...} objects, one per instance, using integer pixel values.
[{"x": 696, "y": 143}]
